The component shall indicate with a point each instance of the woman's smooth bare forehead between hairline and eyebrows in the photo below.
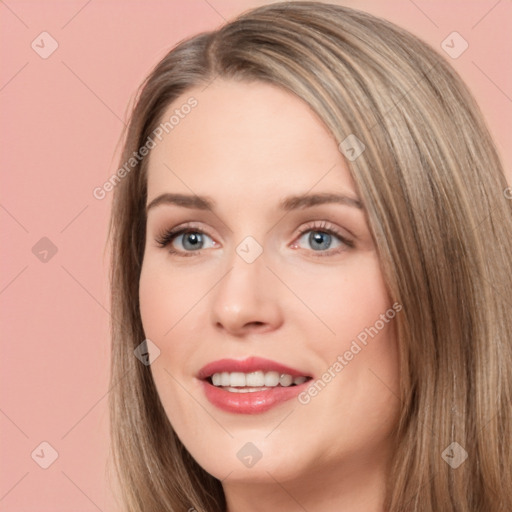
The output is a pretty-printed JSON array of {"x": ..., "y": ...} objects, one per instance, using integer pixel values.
[{"x": 244, "y": 137}]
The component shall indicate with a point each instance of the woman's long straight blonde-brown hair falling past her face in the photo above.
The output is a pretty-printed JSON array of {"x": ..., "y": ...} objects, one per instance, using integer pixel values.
[{"x": 433, "y": 188}]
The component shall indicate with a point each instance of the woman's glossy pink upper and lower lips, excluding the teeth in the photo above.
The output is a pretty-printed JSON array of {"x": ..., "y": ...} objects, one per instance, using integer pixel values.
[{"x": 252, "y": 402}]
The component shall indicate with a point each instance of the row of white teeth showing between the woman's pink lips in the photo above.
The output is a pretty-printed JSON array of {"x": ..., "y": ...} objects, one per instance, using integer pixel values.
[{"x": 254, "y": 381}]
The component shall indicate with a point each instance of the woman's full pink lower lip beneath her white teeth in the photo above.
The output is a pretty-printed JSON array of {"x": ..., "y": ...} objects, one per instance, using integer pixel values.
[{"x": 253, "y": 402}]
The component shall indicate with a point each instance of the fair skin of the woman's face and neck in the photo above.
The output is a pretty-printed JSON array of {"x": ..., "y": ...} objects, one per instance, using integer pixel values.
[{"x": 247, "y": 146}]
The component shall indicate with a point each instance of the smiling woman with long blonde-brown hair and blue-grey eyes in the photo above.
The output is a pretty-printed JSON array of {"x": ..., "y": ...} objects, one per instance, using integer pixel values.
[{"x": 310, "y": 276}]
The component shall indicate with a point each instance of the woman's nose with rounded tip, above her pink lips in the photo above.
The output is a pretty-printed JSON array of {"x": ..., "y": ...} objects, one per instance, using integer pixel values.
[{"x": 246, "y": 300}]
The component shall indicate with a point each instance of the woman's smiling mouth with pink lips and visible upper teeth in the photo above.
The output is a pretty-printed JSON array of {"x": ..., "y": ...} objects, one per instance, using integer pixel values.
[{"x": 250, "y": 386}]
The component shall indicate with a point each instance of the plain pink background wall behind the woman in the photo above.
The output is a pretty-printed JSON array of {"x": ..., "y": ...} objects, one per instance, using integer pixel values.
[{"x": 61, "y": 121}]
